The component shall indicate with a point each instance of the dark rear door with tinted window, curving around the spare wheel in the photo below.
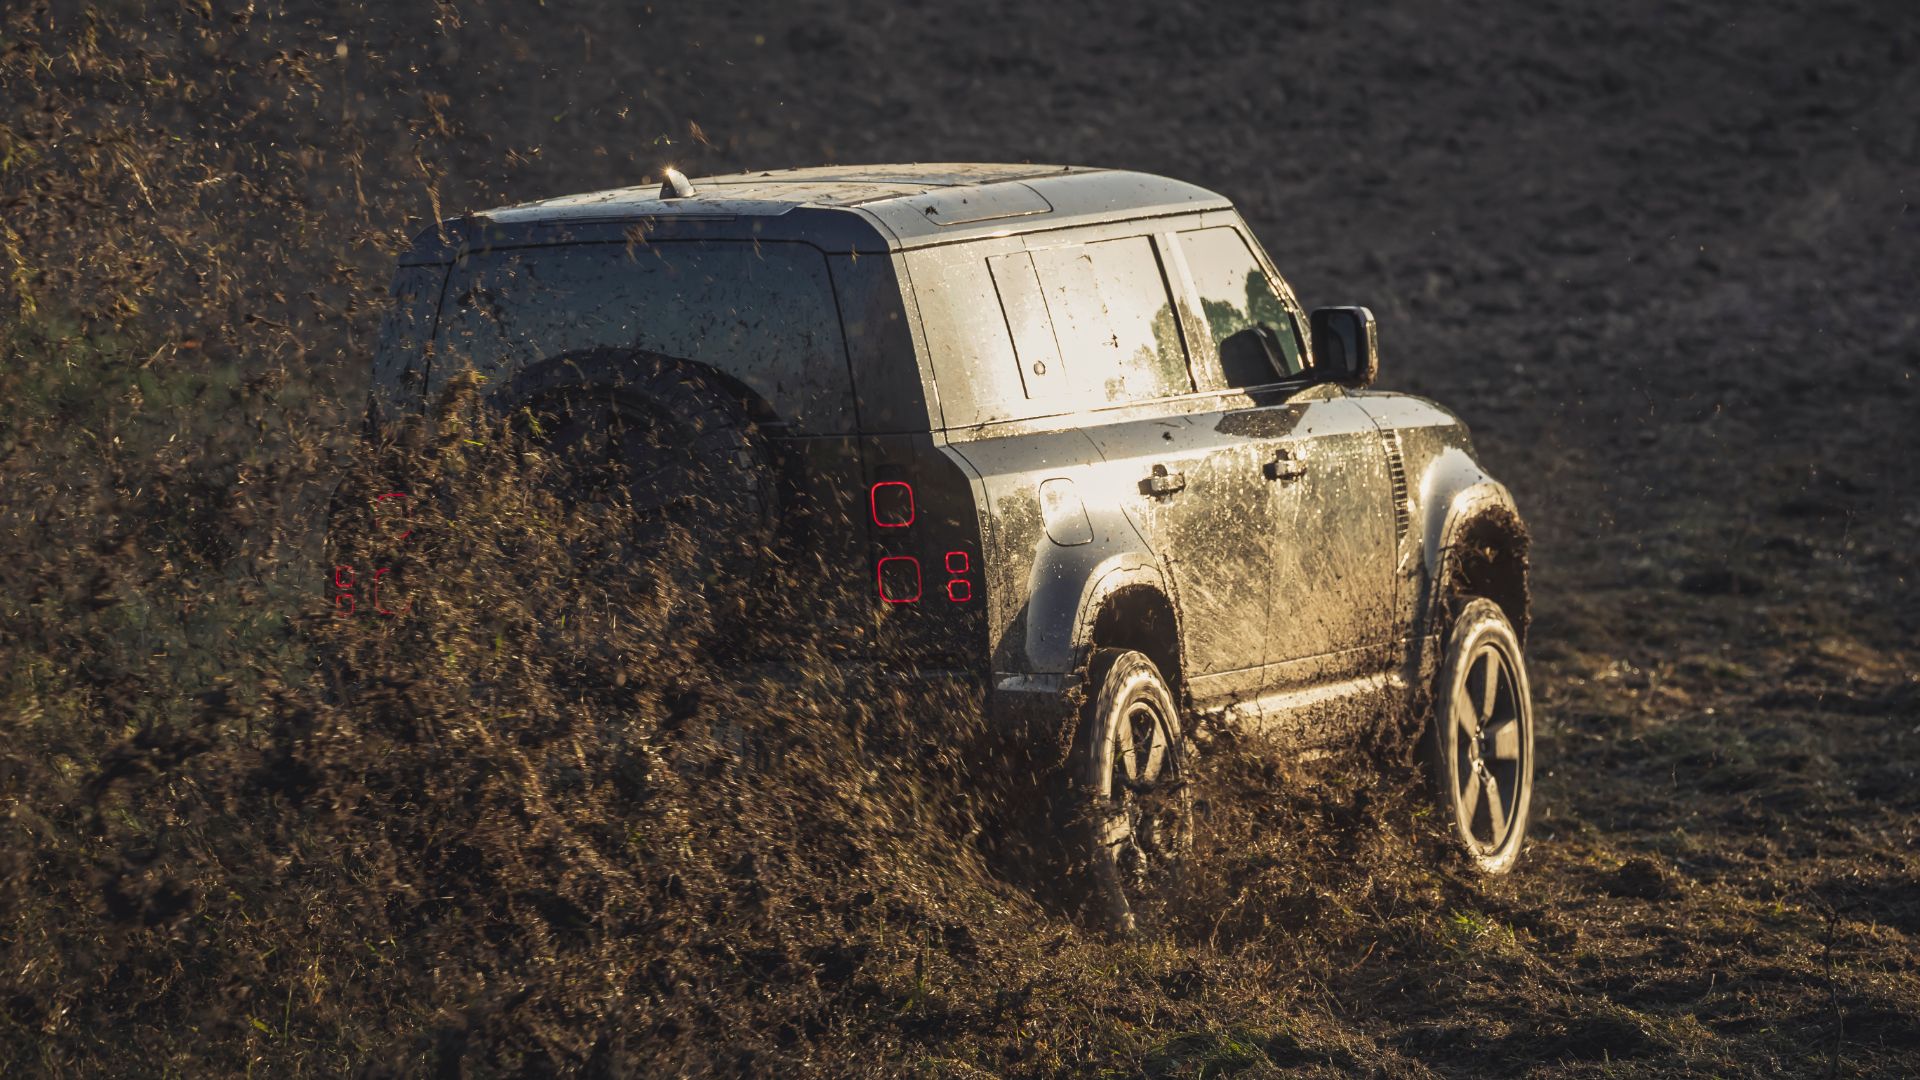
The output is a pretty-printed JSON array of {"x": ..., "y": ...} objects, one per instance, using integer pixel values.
[{"x": 761, "y": 314}]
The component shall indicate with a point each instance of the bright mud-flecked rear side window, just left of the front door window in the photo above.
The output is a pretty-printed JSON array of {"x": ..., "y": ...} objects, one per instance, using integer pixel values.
[{"x": 1113, "y": 320}]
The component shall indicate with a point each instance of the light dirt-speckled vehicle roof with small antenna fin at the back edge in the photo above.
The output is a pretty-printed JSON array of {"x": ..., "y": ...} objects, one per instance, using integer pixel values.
[{"x": 838, "y": 207}]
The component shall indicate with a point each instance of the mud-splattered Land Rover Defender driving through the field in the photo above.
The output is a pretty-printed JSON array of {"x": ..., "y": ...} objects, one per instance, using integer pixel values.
[{"x": 1059, "y": 431}]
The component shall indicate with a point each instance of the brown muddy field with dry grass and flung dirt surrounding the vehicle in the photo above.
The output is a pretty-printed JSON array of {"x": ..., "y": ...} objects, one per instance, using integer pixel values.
[{"x": 1664, "y": 260}]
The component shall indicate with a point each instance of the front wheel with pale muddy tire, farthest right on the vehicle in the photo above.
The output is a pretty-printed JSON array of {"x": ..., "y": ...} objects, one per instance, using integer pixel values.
[{"x": 1481, "y": 741}]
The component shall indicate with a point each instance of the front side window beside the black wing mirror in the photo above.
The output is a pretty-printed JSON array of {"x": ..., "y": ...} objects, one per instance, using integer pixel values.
[{"x": 1253, "y": 331}]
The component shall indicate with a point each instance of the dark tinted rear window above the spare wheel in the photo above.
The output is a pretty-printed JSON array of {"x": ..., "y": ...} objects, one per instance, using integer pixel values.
[{"x": 761, "y": 314}]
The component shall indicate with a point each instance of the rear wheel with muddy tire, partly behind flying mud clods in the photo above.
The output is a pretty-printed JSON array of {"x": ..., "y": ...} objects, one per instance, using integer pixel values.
[{"x": 1128, "y": 808}]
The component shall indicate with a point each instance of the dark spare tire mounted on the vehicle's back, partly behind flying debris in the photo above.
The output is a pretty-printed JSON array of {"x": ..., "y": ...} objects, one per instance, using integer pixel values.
[{"x": 677, "y": 458}]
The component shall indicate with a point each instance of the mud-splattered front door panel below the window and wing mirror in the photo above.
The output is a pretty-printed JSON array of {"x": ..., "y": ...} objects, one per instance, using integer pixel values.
[{"x": 1332, "y": 583}]
